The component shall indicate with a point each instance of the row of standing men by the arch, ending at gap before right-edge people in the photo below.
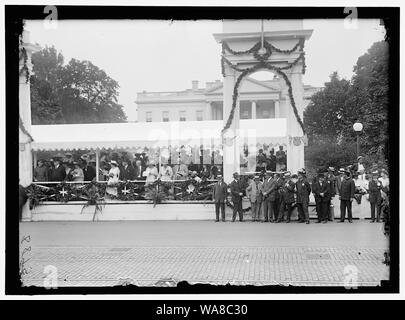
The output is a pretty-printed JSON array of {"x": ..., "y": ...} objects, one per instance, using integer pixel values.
[{"x": 279, "y": 193}]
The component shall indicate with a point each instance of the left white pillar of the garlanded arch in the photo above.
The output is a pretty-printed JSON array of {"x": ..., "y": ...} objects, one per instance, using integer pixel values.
[{"x": 231, "y": 160}]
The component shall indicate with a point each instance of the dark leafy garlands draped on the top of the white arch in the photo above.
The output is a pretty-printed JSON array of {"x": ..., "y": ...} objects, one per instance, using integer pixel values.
[{"x": 263, "y": 64}]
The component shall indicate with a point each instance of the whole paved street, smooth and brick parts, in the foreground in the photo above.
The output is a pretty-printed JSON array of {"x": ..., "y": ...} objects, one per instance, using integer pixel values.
[{"x": 160, "y": 253}]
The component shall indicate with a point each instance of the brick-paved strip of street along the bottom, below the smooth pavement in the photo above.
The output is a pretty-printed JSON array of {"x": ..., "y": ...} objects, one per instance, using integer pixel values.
[{"x": 164, "y": 266}]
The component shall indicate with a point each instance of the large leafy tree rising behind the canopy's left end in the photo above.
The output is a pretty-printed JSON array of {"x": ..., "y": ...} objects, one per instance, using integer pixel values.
[{"x": 78, "y": 92}]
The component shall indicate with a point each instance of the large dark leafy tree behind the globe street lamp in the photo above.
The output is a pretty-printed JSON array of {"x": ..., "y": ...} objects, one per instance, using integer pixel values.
[{"x": 332, "y": 111}]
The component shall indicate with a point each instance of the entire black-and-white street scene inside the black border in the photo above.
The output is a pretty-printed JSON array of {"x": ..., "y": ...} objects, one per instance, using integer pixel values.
[{"x": 227, "y": 152}]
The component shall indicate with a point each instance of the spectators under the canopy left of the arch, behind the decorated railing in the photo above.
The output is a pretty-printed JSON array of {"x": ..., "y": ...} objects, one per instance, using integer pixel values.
[{"x": 119, "y": 168}]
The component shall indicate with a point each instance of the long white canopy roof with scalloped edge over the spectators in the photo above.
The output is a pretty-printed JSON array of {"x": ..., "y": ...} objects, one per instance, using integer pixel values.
[{"x": 152, "y": 134}]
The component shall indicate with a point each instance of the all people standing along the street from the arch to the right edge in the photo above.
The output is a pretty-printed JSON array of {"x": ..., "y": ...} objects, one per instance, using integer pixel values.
[{"x": 274, "y": 197}]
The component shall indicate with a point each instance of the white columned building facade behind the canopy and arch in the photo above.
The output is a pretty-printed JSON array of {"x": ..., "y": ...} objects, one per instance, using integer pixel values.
[{"x": 257, "y": 100}]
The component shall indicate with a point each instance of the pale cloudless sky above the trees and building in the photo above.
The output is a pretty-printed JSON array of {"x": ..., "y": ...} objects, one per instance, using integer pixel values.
[{"x": 167, "y": 55}]
